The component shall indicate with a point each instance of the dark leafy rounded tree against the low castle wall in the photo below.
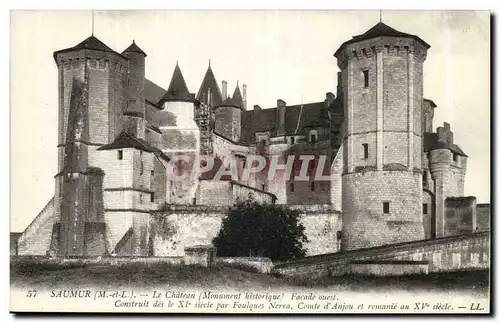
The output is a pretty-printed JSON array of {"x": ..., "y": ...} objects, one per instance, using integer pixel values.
[{"x": 263, "y": 230}]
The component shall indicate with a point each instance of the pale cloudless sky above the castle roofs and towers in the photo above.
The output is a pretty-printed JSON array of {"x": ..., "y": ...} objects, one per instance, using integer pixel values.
[{"x": 279, "y": 55}]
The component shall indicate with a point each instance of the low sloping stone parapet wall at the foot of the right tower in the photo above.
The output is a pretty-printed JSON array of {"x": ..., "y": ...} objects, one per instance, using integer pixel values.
[{"x": 443, "y": 254}]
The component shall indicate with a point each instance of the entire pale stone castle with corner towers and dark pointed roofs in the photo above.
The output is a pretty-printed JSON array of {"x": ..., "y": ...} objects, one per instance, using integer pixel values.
[{"x": 386, "y": 176}]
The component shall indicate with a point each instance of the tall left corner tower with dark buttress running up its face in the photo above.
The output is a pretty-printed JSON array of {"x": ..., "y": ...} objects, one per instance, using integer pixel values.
[{"x": 91, "y": 83}]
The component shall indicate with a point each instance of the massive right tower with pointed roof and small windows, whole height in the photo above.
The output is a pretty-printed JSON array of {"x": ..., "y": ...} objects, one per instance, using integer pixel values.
[{"x": 381, "y": 80}]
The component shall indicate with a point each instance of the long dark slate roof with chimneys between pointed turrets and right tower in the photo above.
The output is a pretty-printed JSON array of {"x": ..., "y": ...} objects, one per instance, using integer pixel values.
[{"x": 296, "y": 122}]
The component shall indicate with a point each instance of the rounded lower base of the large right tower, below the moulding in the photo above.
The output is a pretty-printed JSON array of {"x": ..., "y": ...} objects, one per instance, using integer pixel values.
[{"x": 364, "y": 222}]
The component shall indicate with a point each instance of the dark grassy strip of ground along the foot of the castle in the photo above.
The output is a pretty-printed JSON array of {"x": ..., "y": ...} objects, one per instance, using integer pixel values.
[{"x": 223, "y": 278}]
